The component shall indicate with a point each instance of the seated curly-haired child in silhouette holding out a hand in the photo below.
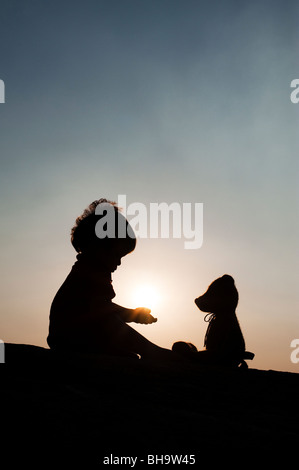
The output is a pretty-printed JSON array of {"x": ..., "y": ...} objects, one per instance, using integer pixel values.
[{"x": 83, "y": 317}]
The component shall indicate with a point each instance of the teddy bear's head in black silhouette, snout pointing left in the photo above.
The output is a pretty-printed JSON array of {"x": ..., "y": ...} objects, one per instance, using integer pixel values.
[{"x": 221, "y": 296}]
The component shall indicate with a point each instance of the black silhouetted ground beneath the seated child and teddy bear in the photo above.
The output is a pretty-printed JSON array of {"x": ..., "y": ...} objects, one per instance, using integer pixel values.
[{"x": 79, "y": 409}]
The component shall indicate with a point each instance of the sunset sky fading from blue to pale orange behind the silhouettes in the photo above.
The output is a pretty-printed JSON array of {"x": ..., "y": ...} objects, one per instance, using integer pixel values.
[{"x": 163, "y": 101}]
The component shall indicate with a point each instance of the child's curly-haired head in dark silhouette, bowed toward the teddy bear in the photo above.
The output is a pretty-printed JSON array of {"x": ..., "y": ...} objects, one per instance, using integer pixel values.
[{"x": 103, "y": 232}]
